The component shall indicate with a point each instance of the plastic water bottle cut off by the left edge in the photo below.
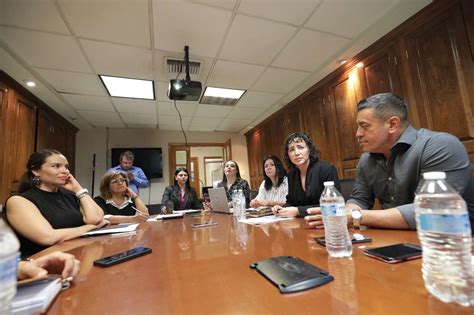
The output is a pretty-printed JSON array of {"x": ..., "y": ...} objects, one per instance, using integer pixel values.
[{"x": 9, "y": 254}]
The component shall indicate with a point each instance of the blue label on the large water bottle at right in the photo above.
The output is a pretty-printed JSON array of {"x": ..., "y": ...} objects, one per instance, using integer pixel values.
[{"x": 445, "y": 223}]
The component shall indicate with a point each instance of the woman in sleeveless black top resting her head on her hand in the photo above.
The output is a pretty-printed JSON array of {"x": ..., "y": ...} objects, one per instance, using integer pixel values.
[{"x": 51, "y": 206}]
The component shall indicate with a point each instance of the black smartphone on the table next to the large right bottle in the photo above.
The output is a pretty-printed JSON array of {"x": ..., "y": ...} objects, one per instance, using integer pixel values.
[{"x": 395, "y": 253}]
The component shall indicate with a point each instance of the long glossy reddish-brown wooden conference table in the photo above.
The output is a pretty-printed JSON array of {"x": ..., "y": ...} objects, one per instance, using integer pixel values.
[{"x": 206, "y": 271}]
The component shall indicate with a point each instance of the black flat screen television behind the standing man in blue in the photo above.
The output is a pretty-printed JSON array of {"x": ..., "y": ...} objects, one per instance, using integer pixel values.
[{"x": 148, "y": 159}]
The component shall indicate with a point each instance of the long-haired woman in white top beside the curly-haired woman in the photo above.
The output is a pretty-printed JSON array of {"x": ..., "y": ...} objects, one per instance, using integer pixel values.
[{"x": 274, "y": 188}]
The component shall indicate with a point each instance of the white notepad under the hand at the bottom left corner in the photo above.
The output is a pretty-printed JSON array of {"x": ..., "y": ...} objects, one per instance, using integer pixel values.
[{"x": 36, "y": 297}]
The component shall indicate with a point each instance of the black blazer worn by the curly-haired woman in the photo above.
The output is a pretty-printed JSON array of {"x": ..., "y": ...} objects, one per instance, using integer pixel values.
[{"x": 317, "y": 174}]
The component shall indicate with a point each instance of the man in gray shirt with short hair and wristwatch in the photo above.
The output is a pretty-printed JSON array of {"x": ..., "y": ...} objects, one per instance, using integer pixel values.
[{"x": 396, "y": 156}]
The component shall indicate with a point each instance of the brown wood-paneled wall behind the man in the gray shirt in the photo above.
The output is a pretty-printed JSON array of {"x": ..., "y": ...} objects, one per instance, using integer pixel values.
[{"x": 428, "y": 60}]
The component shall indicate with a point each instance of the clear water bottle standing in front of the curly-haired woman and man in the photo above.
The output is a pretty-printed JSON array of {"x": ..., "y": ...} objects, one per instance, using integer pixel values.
[{"x": 333, "y": 210}]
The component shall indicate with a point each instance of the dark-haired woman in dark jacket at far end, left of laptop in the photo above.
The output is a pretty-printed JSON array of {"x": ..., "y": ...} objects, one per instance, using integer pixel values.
[{"x": 181, "y": 194}]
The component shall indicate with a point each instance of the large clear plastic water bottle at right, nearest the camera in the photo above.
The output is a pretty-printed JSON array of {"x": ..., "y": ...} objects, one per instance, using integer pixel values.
[{"x": 445, "y": 235}]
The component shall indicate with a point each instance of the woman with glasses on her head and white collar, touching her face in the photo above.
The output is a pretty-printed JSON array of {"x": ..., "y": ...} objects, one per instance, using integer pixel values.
[{"x": 119, "y": 203}]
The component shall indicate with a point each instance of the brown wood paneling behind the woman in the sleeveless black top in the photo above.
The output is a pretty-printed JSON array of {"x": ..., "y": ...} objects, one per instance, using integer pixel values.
[{"x": 27, "y": 125}]
